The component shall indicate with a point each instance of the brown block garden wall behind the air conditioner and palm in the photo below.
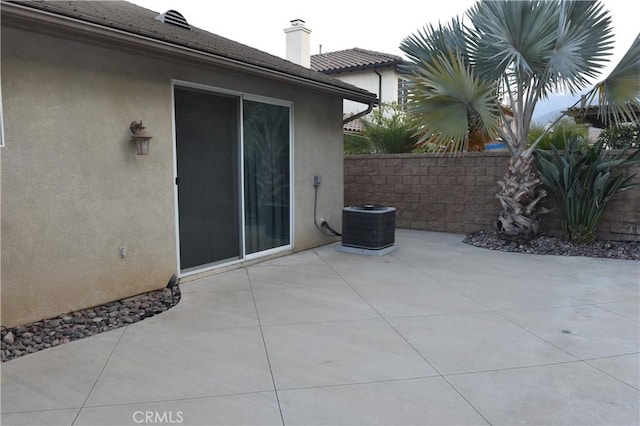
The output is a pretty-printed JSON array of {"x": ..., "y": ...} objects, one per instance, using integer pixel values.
[{"x": 458, "y": 194}]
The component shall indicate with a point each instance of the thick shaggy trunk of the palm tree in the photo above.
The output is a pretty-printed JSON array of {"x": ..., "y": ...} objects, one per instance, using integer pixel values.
[{"x": 519, "y": 195}]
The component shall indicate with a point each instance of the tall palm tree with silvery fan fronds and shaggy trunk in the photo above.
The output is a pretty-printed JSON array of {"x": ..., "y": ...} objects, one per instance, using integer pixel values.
[{"x": 489, "y": 75}]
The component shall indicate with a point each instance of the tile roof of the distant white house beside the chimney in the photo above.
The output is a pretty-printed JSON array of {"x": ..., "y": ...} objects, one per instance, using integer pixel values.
[{"x": 352, "y": 60}]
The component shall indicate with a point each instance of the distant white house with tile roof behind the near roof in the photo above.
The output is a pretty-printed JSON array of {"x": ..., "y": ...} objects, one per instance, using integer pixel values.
[{"x": 373, "y": 71}]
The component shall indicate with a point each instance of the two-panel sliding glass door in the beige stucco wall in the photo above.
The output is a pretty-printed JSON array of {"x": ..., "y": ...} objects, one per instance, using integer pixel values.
[{"x": 233, "y": 163}]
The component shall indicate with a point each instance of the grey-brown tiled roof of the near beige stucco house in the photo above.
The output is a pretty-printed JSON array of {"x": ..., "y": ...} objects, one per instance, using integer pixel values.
[{"x": 131, "y": 18}]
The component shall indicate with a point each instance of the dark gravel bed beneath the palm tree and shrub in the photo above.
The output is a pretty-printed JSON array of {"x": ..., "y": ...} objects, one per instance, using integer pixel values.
[{"x": 627, "y": 250}]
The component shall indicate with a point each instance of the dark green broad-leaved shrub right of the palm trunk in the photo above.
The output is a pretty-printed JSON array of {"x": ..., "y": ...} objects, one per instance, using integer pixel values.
[{"x": 584, "y": 178}]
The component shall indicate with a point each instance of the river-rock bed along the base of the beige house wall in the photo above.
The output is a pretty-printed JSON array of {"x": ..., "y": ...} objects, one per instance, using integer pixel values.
[{"x": 34, "y": 337}]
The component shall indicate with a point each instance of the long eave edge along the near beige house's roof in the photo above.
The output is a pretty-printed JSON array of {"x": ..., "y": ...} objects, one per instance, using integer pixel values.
[{"x": 51, "y": 23}]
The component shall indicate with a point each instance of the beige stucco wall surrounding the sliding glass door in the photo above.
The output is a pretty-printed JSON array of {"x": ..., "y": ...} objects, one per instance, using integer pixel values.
[{"x": 74, "y": 191}]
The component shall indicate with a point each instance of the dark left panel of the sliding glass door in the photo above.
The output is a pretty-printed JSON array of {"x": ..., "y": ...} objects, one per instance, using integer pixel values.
[{"x": 207, "y": 141}]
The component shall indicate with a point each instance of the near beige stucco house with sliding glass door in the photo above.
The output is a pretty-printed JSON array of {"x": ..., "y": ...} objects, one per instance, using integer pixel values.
[{"x": 237, "y": 138}]
